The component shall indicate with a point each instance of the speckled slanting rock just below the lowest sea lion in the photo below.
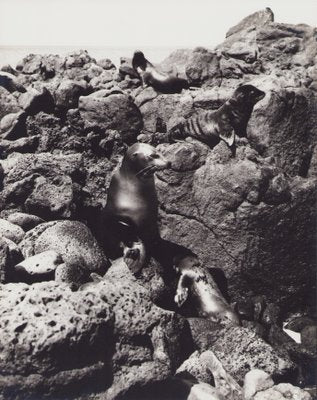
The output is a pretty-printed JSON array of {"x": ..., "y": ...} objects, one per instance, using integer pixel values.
[{"x": 240, "y": 350}]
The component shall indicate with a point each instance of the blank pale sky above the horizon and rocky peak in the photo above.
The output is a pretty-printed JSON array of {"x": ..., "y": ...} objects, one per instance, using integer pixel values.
[{"x": 173, "y": 23}]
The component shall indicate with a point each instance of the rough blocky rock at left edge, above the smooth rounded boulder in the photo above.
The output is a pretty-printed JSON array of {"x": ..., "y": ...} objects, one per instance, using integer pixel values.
[{"x": 41, "y": 184}]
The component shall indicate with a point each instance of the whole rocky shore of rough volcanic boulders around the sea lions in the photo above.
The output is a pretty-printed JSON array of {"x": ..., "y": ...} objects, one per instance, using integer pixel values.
[{"x": 65, "y": 123}]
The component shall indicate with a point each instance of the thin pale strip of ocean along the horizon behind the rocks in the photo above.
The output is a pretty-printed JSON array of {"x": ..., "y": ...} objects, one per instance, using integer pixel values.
[{"x": 13, "y": 54}]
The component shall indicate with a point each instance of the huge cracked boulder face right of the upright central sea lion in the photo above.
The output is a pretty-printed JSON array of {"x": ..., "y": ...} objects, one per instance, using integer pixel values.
[{"x": 215, "y": 206}]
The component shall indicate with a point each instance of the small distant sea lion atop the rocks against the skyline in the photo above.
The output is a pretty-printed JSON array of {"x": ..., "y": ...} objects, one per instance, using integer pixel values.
[{"x": 150, "y": 76}]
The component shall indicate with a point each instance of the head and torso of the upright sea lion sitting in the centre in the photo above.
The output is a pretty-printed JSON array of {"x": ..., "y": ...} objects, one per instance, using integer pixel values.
[{"x": 131, "y": 210}]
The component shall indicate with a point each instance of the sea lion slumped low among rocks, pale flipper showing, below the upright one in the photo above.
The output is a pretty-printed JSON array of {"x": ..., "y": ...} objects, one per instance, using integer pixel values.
[{"x": 198, "y": 284}]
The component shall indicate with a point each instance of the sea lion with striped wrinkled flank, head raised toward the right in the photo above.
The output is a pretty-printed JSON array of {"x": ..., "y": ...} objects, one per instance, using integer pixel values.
[{"x": 223, "y": 124}]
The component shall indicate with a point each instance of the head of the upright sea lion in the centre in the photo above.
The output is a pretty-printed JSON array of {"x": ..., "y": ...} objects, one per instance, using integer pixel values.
[{"x": 144, "y": 160}]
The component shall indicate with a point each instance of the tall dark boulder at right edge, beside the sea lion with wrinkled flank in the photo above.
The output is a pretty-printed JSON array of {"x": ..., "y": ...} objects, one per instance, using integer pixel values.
[{"x": 288, "y": 128}]
